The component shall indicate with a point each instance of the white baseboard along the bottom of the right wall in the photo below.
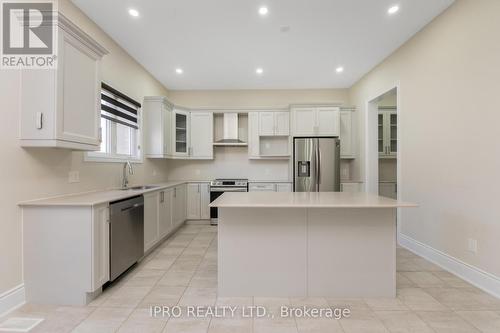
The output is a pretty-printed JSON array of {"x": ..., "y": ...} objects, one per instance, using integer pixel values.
[{"x": 475, "y": 276}]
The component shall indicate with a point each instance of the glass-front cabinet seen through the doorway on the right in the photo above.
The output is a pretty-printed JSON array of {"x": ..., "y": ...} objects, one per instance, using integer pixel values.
[{"x": 387, "y": 132}]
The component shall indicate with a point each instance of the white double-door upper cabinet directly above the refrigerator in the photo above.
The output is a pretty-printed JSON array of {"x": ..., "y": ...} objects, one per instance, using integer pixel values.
[{"x": 316, "y": 121}]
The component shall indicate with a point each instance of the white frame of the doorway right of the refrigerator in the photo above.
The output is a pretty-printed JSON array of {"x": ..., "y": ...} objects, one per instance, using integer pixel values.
[{"x": 371, "y": 148}]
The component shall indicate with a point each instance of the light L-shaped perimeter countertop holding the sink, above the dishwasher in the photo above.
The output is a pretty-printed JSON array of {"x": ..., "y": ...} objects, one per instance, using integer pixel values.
[{"x": 98, "y": 197}]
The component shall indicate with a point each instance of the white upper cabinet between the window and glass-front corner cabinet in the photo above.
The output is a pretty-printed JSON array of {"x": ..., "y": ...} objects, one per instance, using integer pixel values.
[{"x": 157, "y": 127}]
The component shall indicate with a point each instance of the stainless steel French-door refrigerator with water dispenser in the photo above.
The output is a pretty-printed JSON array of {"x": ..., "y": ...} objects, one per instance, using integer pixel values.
[{"x": 316, "y": 164}]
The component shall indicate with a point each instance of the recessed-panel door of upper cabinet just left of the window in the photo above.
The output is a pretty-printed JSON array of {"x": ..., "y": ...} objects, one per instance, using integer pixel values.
[{"x": 79, "y": 84}]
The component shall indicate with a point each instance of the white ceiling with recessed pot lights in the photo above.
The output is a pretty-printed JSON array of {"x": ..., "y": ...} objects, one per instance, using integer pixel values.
[{"x": 220, "y": 43}]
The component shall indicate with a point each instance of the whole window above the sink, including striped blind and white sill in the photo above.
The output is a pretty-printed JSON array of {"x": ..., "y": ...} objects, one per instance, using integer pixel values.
[{"x": 120, "y": 128}]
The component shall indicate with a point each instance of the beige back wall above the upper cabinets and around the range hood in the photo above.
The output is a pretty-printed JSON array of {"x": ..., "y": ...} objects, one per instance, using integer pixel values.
[{"x": 233, "y": 162}]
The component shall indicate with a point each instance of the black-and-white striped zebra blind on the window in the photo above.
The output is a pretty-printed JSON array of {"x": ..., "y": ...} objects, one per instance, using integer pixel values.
[{"x": 118, "y": 107}]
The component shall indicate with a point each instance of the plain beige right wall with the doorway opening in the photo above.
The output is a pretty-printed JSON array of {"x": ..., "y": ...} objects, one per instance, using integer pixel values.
[{"x": 449, "y": 86}]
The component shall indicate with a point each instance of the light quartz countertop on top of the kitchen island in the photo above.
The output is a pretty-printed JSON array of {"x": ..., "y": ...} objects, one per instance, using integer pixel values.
[{"x": 306, "y": 200}]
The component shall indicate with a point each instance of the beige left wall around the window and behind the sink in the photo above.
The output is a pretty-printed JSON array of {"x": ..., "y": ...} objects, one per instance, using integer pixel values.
[{"x": 34, "y": 173}]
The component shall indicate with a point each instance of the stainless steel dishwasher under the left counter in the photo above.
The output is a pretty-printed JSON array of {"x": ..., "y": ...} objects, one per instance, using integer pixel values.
[{"x": 126, "y": 234}]
